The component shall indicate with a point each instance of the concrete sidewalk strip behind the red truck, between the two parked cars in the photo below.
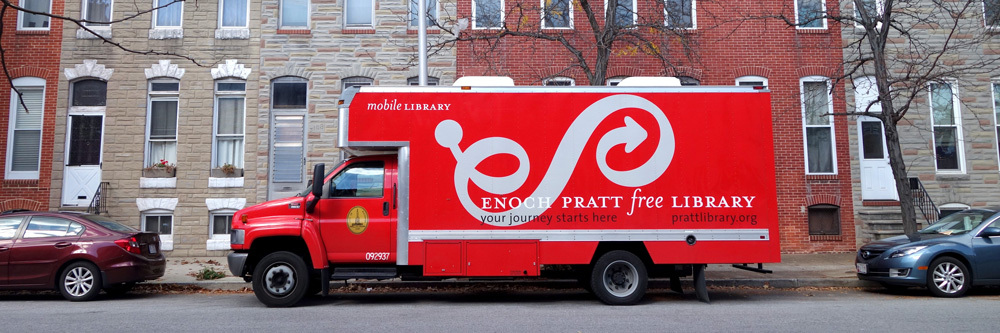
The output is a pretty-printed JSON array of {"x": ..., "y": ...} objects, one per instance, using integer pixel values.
[{"x": 794, "y": 270}]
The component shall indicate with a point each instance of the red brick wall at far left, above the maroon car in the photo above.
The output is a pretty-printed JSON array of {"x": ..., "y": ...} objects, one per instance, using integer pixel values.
[{"x": 30, "y": 54}]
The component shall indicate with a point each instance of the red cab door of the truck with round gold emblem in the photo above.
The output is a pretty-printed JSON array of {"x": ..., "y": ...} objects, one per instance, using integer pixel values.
[{"x": 357, "y": 216}]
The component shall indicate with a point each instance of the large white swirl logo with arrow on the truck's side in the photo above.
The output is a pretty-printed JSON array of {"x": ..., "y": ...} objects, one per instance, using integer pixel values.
[{"x": 449, "y": 133}]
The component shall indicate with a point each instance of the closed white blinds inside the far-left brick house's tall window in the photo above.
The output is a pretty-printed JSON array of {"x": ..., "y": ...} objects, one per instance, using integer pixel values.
[{"x": 27, "y": 136}]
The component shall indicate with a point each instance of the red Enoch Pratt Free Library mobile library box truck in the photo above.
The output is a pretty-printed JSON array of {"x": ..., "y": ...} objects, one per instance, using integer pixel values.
[{"x": 613, "y": 184}]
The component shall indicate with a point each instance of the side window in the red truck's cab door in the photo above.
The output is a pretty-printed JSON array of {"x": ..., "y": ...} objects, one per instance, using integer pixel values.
[{"x": 359, "y": 180}]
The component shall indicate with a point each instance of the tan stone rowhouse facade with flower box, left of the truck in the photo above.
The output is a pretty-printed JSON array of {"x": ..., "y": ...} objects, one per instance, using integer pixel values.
[{"x": 159, "y": 131}]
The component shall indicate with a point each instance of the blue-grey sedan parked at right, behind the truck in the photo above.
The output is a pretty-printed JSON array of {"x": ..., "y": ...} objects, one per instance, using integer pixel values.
[{"x": 948, "y": 257}]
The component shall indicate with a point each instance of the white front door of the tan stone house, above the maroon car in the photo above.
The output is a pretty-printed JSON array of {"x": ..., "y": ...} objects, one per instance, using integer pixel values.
[{"x": 82, "y": 174}]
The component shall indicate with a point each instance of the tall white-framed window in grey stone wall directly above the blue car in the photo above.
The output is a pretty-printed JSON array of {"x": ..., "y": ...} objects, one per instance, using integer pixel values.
[{"x": 945, "y": 118}]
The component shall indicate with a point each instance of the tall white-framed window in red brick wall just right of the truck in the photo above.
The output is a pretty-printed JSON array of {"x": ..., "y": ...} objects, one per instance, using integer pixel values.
[{"x": 817, "y": 106}]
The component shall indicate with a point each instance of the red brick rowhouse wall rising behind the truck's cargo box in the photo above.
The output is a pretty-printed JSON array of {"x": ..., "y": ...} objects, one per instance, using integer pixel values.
[{"x": 720, "y": 52}]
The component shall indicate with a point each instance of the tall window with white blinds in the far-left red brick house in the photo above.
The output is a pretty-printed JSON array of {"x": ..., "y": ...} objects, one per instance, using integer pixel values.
[{"x": 24, "y": 135}]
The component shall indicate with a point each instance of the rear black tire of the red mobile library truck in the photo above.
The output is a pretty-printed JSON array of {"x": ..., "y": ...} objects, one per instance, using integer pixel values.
[{"x": 619, "y": 278}]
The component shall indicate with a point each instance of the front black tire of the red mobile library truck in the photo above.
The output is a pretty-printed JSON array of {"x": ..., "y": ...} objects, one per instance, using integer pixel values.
[{"x": 281, "y": 279}]
